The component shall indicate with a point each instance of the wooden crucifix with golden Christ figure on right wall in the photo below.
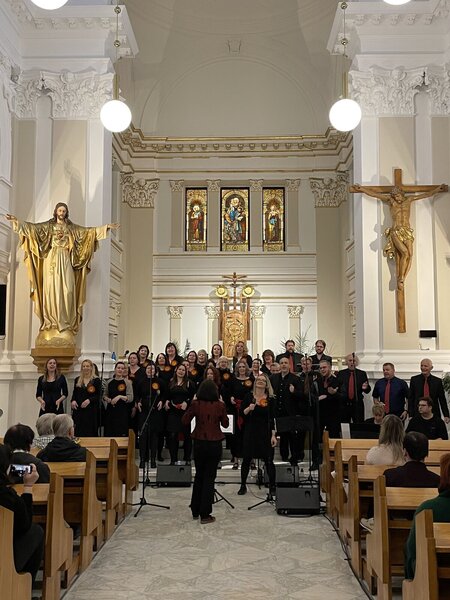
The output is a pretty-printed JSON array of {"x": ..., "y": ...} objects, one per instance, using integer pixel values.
[{"x": 400, "y": 236}]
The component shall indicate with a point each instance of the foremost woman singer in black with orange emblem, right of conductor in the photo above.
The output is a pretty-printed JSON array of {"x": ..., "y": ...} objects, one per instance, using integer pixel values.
[{"x": 259, "y": 431}]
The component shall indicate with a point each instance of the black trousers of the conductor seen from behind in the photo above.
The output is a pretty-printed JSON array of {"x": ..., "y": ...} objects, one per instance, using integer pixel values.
[{"x": 207, "y": 456}]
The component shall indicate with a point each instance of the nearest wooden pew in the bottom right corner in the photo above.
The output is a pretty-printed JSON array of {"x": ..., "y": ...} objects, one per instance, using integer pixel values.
[{"x": 432, "y": 576}]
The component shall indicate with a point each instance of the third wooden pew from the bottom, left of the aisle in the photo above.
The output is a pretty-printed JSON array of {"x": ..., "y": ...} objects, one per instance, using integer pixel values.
[{"x": 81, "y": 506}]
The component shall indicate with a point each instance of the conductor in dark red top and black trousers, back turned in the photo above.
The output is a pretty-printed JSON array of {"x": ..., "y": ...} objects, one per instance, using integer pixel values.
[{"x": 209, "y": 413}]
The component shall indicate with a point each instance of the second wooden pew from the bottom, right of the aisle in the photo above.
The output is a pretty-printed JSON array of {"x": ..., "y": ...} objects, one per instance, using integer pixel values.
[{"x": 385, "y": 544}]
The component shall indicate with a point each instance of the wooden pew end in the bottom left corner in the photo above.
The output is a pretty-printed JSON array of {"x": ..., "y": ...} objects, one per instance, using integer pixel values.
[{"x": 13, "y": 585}]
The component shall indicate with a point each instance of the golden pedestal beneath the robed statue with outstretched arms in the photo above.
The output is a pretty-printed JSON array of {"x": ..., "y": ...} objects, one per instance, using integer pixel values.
[{"x": 53, "y": 344}]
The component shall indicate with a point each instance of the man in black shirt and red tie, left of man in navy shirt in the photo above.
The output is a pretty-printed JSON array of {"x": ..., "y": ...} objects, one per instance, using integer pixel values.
[{"x": 353, "y": 384}]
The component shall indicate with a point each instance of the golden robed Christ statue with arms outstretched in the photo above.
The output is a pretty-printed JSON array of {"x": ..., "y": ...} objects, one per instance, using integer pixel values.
[{"x": 58, "y": 255}]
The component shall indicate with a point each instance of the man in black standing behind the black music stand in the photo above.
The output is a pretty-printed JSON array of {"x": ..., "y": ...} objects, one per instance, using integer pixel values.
[{"x": 286, "y": 388}]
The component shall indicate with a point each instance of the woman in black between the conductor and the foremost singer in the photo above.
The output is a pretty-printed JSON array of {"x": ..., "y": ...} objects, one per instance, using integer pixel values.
[{"x": 240, "y": 389}]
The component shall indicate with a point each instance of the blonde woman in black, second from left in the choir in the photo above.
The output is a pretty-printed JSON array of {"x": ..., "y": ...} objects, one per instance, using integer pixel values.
[{"x": 85, "y": 401}]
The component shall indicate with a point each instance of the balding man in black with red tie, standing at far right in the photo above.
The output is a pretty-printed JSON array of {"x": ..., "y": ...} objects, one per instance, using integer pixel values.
[{"x": 424, "y": 385}]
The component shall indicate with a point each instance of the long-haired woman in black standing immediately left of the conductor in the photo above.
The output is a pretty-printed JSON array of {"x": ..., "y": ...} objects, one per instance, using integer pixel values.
[{"x": 179, "y": 396}]
